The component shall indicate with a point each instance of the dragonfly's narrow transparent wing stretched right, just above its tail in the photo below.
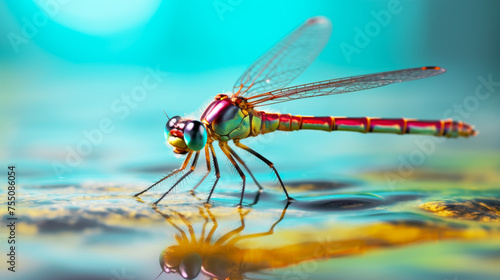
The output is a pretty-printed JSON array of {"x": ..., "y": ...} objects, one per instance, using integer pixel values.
[{"x": 343, "y": 85}]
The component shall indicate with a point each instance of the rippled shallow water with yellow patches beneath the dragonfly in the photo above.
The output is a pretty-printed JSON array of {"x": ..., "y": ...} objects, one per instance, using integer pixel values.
[{"x": 433, "y": 225}]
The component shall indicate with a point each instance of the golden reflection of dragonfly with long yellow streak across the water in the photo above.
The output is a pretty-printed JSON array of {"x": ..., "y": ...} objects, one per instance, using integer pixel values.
[{"x": 226, "y": 257}]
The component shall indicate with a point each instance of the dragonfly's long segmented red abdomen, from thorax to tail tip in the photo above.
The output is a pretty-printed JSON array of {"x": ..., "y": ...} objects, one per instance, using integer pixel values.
[{"x": 287, "y": 122}]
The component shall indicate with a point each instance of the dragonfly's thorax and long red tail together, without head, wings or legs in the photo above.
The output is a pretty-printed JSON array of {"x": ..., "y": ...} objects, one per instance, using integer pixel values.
[{"x": 227, "y": 119}]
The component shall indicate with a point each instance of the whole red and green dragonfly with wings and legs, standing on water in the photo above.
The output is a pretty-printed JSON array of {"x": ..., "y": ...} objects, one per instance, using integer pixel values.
[{"x": 238, "y": 115}]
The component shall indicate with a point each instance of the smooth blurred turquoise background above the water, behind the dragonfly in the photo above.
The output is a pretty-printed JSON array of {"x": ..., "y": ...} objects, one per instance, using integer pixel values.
[{"x": 68, "y": 67}]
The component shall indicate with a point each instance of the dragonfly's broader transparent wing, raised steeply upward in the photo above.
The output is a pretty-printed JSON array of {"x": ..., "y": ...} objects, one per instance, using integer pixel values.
[{"x": 286, "y": 60}]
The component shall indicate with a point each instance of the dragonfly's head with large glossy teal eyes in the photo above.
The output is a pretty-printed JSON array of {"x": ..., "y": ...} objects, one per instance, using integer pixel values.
[{"x": 185, "y": 135}]
